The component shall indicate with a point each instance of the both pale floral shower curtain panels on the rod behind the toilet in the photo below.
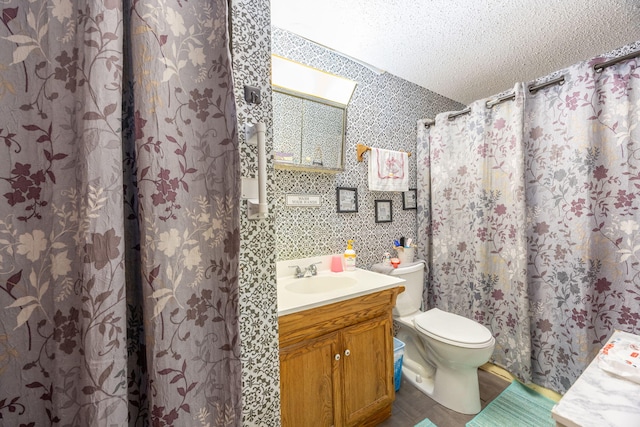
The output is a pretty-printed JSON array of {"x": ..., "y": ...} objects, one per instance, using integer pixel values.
[{"x": 564, "y": 205}]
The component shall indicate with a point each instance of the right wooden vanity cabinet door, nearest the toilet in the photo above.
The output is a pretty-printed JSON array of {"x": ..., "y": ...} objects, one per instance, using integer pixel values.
[{"x": 367, "y": 369}]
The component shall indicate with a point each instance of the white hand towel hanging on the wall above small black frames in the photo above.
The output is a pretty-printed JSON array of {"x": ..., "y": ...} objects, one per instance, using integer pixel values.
[{"x": 388, "y": 170}]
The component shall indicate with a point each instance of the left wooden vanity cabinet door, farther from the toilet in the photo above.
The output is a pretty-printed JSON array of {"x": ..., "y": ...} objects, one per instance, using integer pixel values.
[{"x": 309, "y": 382}]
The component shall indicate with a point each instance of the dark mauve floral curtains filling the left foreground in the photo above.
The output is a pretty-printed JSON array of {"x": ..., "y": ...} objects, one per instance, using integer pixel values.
[{"x": 119, "y": 225}]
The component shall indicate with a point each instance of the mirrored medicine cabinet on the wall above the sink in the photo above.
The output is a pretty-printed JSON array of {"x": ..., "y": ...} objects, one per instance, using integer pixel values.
[{"x": 308, "y": 133}]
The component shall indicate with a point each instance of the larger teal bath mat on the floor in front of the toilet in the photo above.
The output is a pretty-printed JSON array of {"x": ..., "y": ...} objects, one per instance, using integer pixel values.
[{"x": 517, "y": 405}]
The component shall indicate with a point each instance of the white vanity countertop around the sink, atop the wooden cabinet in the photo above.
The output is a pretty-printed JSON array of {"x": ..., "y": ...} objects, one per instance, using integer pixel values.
[{"x": 366, "y": 282}]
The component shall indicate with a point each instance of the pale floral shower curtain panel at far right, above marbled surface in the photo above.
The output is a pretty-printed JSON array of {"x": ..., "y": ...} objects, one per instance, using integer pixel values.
[{"x": 583, "y": 198}]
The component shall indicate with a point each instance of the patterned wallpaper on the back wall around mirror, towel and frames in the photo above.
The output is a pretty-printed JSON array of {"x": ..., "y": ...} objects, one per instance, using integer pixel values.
[{"x": 382, "y": 113}]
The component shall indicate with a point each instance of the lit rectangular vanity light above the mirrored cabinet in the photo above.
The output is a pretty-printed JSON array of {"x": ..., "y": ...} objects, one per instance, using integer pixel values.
[{"x": 296, "y": 77}]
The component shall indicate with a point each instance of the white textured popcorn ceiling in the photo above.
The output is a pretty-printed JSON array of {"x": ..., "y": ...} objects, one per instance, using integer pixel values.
[{"x": 464, "y": 49}]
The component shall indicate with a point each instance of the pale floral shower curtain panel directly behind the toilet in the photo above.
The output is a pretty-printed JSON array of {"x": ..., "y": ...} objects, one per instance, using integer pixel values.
[{"x": 472, "y": 178}]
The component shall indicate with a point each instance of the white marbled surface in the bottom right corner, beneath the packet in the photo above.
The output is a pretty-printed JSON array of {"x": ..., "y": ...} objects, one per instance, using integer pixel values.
[{"x": 600, "y": 399}]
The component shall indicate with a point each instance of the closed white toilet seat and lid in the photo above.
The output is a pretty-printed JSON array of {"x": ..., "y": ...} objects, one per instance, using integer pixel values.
[{"x": 453, "y": 329}]
